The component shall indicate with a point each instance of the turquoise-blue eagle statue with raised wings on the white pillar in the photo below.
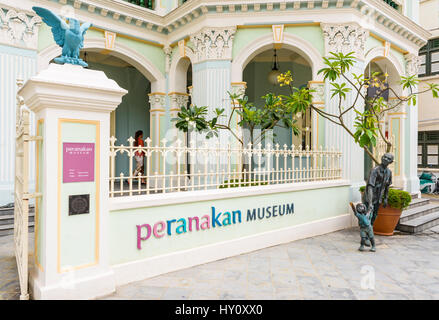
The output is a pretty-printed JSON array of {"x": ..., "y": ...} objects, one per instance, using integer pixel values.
[{"x": 69, "y": 36}]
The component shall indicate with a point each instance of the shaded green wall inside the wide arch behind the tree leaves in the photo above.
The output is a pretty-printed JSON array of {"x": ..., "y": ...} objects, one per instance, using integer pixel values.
[{"x": 256, "y": 73}]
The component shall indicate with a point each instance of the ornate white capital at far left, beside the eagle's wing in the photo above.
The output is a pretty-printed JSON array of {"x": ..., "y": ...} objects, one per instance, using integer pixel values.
[{"x": 19, "y": 29}]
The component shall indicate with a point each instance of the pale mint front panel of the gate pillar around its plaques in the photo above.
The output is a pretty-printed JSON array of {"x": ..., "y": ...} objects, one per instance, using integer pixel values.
[{"x": 78, "y": 232}]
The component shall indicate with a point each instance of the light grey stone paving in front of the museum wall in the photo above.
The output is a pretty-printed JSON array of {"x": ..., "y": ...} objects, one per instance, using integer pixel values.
[{"x": 325, "y": 267}]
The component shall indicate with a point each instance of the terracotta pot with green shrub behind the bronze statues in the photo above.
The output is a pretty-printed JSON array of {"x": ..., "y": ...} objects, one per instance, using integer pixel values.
[{"x": 388, "y": 217}]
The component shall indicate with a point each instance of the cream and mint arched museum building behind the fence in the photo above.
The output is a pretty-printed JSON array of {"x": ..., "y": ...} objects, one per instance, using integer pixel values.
[{"x": 169, "y": 53}]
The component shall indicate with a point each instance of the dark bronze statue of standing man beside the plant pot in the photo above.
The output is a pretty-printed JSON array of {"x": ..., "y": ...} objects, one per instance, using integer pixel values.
[{"x": 377, "y": 188}]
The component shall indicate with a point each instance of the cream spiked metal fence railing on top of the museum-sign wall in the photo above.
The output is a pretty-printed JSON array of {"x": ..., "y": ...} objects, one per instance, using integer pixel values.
[{"x": 177, "y": 168}]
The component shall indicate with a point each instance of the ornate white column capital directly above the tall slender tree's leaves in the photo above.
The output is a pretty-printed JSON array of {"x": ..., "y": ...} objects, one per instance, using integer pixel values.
[{"x": 345, "y": 38}]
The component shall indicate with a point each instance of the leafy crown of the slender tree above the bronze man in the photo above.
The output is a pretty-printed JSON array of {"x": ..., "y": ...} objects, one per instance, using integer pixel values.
[{"x": 366, "y": 129}]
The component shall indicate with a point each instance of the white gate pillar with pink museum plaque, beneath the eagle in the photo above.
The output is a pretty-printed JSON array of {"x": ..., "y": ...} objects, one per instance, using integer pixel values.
[{"x": 73, "y": 104}]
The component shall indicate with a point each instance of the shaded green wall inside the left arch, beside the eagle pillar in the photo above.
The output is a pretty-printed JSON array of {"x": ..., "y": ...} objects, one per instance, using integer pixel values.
[{"x": 133, "y": 113}]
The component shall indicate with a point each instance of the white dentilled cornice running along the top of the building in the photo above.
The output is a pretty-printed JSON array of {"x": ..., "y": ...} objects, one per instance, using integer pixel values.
[{"x": 136, "y": 19}]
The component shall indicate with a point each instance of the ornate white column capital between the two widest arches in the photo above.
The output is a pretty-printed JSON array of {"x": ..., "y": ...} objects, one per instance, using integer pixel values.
[{"x": 213, "y": 43}]
